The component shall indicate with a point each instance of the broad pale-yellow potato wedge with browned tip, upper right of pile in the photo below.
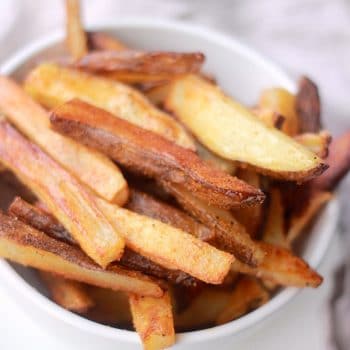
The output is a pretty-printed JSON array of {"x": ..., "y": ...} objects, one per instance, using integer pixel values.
[{"x": 233, "y": 132}]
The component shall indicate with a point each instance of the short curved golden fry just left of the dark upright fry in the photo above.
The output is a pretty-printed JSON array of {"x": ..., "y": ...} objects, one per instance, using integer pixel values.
[{"x": 282, "y": 102}]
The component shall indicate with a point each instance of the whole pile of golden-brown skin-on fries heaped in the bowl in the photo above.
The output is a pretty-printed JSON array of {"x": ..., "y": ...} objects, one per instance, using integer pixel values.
[{"x": 160, "y": 202}]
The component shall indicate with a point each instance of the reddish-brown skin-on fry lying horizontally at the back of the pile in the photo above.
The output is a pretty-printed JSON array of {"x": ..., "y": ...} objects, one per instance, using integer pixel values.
[{"x": 163, "y": 64}]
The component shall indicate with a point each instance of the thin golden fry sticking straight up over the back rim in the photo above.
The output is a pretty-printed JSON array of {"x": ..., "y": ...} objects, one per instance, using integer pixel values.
[{"x": 76, "y": 38}]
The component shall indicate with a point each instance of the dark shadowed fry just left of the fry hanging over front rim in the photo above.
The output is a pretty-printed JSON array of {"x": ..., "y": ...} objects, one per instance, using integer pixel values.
[{"x": 111, "y": 307}]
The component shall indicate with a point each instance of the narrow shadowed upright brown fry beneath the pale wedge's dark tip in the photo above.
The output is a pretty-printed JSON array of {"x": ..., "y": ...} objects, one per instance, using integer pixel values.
[{"x": 274, "y": 230}]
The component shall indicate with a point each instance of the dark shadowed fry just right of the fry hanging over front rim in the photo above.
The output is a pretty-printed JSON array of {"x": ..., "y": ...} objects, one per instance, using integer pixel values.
[{"x": 203, "y": 310}]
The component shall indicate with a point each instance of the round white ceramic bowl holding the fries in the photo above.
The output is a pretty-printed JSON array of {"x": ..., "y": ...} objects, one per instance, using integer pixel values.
[{"x": 242, "y": 73}]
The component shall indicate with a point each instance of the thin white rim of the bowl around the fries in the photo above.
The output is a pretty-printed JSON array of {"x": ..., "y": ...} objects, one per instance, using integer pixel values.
[{"x": 233, "y": 327}]
